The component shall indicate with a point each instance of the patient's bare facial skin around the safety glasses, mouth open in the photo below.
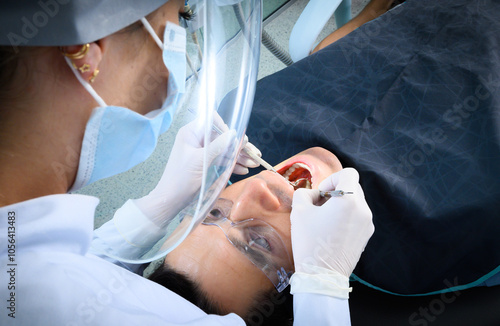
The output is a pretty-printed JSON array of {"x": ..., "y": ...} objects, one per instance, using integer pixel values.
[{"x": 219, "y": 268}]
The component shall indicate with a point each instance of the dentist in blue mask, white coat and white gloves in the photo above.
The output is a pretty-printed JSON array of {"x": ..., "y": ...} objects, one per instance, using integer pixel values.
[{"x": 85, "y": 91}]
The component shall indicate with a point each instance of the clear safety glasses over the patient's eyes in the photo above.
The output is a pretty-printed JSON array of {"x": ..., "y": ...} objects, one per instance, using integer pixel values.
[{"x": 257, "y": 240}]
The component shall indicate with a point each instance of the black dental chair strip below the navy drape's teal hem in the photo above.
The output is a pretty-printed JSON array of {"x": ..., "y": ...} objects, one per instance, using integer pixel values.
[{"x": 471, "y": 307}]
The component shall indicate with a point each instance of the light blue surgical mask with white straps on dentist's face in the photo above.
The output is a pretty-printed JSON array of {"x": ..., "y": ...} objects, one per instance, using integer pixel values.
[{"x": 116, "y": 138}]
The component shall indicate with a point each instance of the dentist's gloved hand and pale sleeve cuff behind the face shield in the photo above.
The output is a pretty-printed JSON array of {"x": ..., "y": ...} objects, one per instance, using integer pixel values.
[{"x": 140, "y": 223}]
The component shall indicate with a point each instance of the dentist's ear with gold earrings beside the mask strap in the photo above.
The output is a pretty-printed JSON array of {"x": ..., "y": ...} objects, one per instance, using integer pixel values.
[{"x": 85, "y": 58}]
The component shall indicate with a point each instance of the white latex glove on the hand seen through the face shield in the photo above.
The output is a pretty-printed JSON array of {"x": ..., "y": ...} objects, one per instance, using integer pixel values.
[{"x": 184, "y": 171}]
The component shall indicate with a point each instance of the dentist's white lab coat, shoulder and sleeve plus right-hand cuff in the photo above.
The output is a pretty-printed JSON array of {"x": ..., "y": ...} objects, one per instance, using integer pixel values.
[{"x": 56, "y": 281}]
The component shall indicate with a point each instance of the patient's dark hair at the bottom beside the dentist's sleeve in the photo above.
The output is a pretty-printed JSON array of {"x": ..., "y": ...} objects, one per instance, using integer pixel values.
[{"x": 270, "y": 308}]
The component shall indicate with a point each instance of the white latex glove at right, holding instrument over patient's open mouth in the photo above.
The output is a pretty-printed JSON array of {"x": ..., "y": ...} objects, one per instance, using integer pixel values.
[{"x": 327, "y": 240}]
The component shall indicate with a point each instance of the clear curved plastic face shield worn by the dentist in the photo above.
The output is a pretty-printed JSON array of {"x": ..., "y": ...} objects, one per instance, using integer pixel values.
[{"x": 216, "y": 93}]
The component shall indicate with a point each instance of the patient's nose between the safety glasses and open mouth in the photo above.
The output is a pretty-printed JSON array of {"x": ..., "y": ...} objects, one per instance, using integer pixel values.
[{"x": 255, "y": 199}]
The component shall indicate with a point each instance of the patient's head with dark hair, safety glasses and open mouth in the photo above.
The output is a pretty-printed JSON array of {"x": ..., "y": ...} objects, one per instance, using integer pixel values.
[{"x": 237, "y": 272}]
